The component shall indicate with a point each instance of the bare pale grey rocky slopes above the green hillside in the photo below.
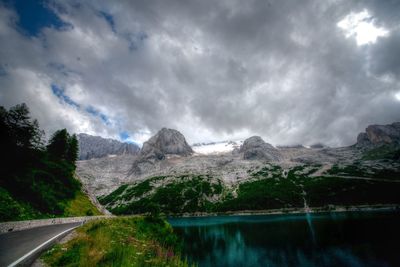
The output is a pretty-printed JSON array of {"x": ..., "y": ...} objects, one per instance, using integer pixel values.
[{"x": 231, "y": 166}]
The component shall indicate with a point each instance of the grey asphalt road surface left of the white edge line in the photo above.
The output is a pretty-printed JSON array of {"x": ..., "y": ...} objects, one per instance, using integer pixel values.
[{"x": 15, "y": 245}]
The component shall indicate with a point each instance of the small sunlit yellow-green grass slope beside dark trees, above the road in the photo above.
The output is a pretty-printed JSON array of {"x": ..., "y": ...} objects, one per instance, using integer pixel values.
[{"x": 80, "y": 206}]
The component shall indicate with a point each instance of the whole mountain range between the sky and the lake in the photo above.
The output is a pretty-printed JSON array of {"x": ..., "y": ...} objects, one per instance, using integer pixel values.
[{"x": 169, "y": 172}]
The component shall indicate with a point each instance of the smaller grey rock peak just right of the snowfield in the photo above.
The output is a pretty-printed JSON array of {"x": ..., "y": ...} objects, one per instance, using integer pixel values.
[{"x": 255, "y": 148}]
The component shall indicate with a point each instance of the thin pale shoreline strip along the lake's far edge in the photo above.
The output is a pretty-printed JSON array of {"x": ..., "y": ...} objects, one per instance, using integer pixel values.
[{"x": 283, "y": 211}]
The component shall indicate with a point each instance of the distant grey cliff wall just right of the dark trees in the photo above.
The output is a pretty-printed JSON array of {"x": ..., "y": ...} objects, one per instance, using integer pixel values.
[{"x": 97, "y": 147}]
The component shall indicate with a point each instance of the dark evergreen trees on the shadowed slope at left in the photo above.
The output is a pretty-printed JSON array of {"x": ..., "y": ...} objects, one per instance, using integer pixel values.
[{"x": 37, "y": 174}]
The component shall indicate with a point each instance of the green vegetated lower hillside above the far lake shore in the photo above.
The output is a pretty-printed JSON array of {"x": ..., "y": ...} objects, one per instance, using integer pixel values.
[{"x": 268, "y": 188}]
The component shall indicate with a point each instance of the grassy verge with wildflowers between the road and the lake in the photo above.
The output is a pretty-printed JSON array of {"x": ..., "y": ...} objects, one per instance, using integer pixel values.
[{"x": 129, "y": 241}]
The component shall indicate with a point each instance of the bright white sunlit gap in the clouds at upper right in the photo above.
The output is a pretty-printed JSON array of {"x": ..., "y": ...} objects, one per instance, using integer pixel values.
[{"x": 361, "y": 26}]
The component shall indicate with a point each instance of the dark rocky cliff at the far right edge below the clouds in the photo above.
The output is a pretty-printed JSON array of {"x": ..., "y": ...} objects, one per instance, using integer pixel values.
[{"x": 376, "y": 135}]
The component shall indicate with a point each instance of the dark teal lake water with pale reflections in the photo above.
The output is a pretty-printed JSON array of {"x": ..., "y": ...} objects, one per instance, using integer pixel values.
[{"x": 330, "y": 239}]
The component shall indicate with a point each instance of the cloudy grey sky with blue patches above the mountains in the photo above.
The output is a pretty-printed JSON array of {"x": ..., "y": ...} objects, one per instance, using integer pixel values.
[{"x": 292, "y": 72}]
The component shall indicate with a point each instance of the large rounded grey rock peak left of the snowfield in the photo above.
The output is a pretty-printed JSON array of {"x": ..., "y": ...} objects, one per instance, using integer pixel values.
[{"x": 165, "y": 142}]
